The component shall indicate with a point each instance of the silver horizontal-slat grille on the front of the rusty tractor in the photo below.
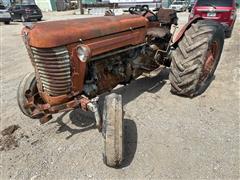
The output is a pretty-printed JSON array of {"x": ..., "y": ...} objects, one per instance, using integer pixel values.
[{"x": 53, "y": 66}]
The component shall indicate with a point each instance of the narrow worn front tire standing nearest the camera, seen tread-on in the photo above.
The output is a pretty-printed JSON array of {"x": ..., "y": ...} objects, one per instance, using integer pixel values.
[{"x": 112, "y": 130}]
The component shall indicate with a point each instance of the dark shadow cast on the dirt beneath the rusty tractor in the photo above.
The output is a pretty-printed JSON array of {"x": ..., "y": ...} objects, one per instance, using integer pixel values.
[{"x": 84, "y": 121}]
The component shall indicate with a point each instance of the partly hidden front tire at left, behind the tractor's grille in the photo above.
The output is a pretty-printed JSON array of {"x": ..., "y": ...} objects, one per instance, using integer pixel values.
[{"x": 28, "y": 83}]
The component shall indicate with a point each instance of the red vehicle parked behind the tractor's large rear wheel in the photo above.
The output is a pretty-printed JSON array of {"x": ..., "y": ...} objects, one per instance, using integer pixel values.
[{"x": 223, "y": 11}]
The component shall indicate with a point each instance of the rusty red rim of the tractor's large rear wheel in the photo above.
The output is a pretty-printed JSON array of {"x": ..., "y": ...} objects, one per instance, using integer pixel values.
[{"x": 210, "y": 61}]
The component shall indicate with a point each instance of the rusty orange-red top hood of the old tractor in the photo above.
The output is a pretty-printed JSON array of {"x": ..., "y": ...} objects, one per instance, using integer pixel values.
[{"x": 57, "y": 33}]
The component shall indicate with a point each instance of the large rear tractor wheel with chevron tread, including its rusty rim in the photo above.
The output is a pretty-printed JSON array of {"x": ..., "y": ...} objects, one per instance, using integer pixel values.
[{"x": 195, "y": 59}]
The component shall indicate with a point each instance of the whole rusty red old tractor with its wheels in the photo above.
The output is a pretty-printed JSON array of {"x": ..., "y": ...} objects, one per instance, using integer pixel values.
[{"x": 77, "y": 60}]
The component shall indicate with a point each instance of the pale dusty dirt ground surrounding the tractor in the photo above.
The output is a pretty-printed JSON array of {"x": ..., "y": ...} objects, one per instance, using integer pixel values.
[{"x": 167, "y": 137}]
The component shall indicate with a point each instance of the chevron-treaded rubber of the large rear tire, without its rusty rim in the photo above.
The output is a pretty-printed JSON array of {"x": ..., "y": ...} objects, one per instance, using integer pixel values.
[{"x": 189, "y": 57}]
